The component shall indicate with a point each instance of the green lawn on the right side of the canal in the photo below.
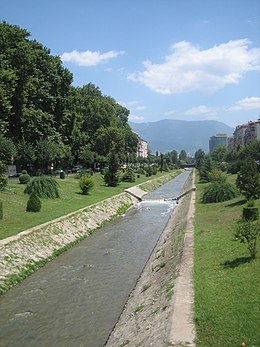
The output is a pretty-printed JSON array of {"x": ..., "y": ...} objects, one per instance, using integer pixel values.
[{"x": 226, "y": 282}]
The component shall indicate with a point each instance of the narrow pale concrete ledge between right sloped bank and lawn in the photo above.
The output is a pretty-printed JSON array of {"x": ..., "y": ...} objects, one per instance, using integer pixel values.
[{"x": 183, "y": 329}]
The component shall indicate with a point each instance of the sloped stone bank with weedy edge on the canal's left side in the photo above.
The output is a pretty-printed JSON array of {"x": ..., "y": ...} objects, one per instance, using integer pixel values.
[{"x": 24, "y": 253}]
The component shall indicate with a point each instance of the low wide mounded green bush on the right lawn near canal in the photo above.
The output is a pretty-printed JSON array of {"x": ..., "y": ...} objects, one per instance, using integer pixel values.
[{"x": 219, "y": 191}]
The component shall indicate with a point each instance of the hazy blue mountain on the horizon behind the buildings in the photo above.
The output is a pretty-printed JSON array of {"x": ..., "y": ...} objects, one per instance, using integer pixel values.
[{"x": 166, "y": 135}]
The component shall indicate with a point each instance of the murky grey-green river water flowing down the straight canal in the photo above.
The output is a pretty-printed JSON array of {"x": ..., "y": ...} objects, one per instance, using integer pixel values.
[{"x": 76, "y": 299}]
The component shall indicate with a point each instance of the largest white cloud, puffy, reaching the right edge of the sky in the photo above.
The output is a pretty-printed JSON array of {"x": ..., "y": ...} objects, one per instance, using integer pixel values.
[{"x": 189, "y": 68}]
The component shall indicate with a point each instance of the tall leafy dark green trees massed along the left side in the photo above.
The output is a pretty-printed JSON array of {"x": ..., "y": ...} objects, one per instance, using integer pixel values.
[{"x": 44, "y": 119}]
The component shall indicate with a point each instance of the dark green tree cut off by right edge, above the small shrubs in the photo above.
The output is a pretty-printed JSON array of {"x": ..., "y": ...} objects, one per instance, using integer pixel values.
[{"x": 248, "y": 179}]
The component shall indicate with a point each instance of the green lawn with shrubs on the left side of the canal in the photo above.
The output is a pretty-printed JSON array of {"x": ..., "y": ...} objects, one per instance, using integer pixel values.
[{"x": 16, "y": 219}]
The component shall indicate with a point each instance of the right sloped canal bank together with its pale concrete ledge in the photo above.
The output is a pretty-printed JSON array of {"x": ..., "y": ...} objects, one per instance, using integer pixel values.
[{"x": 151, "y": 314}]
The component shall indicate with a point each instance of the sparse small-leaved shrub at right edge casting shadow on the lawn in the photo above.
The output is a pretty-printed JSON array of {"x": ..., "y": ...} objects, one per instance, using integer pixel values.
[{"x": 248, "y": 231}]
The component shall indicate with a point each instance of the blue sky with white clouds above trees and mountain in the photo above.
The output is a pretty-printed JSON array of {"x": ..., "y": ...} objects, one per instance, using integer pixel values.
[{"x": 162, "y": 59}]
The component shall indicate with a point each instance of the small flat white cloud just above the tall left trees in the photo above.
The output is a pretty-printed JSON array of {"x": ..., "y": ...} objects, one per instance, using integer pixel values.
[{"x": 89, "y": 58}]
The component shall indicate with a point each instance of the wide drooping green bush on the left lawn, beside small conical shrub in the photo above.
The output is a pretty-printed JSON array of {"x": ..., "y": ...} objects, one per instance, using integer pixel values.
[{"x": 43, "y": 186}]
